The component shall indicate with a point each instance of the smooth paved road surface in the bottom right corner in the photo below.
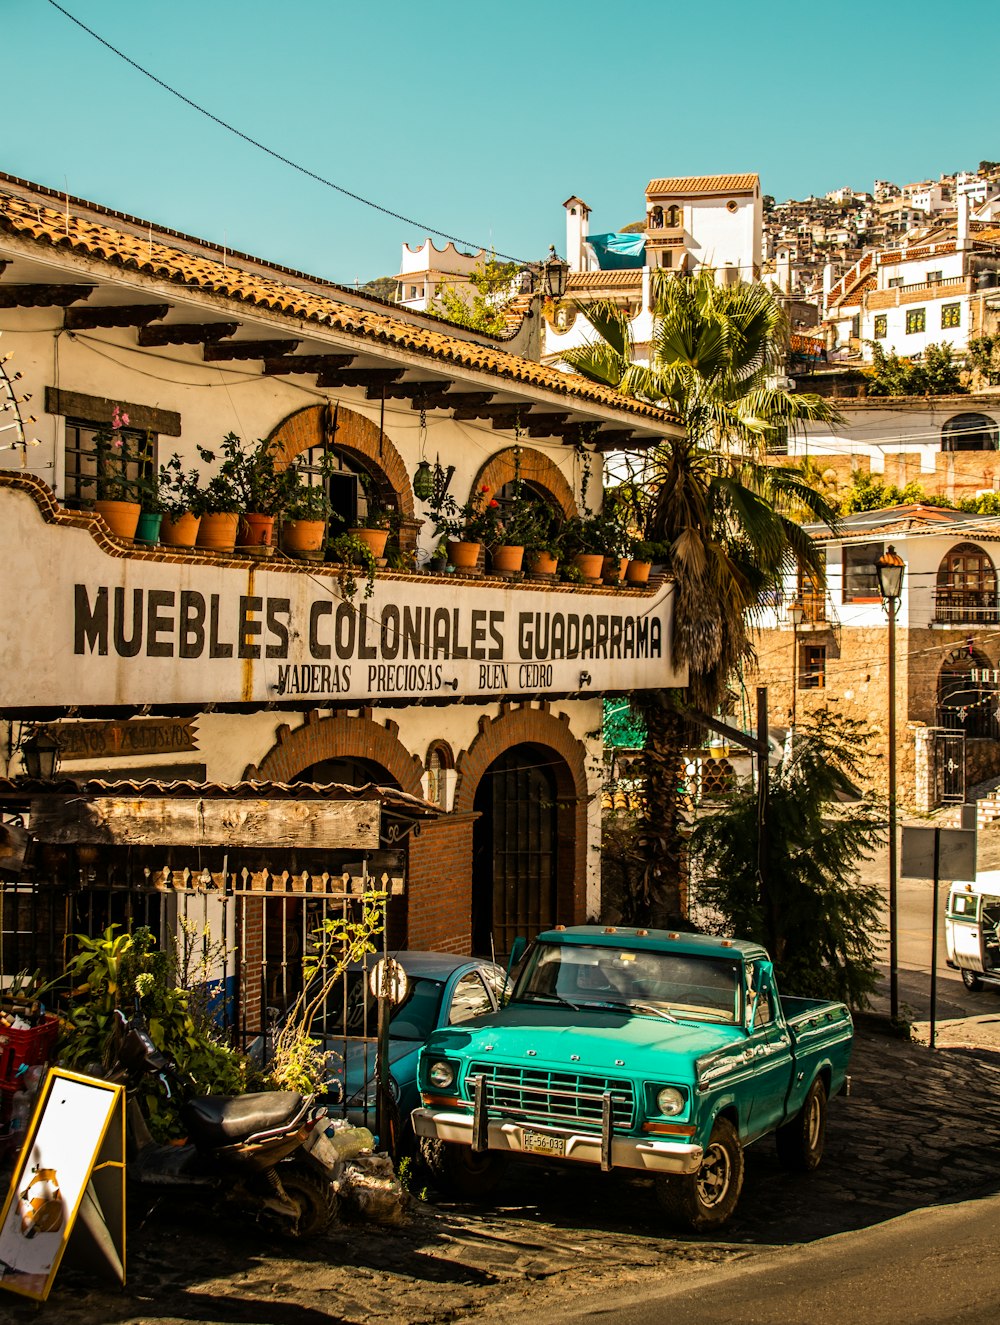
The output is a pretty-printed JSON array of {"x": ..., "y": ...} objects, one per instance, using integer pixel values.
[{"x": 925, "y": 1269}]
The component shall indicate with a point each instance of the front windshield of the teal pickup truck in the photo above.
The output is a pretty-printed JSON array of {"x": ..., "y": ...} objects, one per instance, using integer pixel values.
[{"x": 684, "y": 986}]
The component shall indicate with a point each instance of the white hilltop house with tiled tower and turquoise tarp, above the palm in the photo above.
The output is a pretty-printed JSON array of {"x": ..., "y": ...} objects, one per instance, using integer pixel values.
[{"x": 691, "y": 222}]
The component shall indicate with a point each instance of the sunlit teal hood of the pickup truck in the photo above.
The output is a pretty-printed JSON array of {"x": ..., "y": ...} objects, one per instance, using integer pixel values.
[{"x": 611, "y": 1041}]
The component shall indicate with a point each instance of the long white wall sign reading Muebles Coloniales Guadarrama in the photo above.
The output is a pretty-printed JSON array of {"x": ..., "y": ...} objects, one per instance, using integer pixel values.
[{"x": 87, "y": 629}]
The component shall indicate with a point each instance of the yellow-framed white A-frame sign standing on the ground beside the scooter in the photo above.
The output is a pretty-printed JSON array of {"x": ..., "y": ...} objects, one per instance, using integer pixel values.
[{"x": 68, "y": 1189}]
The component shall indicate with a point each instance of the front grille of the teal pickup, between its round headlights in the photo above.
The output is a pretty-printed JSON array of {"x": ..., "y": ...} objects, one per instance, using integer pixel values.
[{"x": 570, "y": 1099}]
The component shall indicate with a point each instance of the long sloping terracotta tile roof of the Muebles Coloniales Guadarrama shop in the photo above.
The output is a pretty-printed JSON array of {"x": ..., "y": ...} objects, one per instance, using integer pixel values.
[{"x": 150, "y": 255}]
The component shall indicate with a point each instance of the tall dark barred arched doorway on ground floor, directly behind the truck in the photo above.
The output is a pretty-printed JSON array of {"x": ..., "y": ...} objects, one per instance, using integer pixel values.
[{"x": 516, "y": 849}]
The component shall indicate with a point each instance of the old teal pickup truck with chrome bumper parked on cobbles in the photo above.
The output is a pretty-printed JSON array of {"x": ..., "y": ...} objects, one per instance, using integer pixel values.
[{"x": 632, "y": 1049}]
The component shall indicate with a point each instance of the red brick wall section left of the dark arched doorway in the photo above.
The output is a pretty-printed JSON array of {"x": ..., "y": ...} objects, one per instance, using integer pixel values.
[{"x": 440, "y": 886}]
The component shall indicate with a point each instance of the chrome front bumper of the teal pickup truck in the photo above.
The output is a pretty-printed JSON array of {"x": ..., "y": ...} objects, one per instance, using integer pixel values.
[{"x": 582, "y": 1148}]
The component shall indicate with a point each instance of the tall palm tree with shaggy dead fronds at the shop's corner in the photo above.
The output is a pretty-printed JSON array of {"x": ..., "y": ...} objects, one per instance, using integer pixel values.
[{"x": 725, "y": 519}]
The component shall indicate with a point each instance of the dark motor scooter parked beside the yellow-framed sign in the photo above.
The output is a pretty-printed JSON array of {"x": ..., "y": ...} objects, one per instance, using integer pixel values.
[{"x": 260, "y": 1153}]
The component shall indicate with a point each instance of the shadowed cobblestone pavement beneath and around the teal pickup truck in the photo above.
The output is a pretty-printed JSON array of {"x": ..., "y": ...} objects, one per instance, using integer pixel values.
[{"x": 920, "y": 1130}]
